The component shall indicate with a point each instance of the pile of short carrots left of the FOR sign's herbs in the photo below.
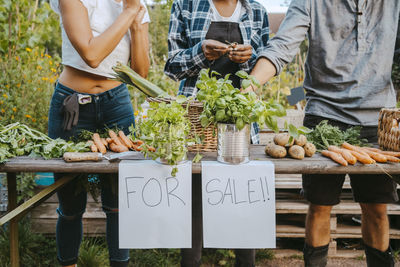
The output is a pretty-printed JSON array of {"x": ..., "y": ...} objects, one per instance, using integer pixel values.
[{"x": 115, "y": 143}]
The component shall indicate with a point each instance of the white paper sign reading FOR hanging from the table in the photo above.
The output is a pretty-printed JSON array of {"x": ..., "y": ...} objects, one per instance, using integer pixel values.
[{"x": 155, "y": 209}]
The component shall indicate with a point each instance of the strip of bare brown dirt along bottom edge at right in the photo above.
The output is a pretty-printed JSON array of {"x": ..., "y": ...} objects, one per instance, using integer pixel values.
[{"x": 332, "y": 262}]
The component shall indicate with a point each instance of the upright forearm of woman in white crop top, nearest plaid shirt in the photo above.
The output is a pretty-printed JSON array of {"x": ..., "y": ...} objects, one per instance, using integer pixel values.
[{"x": 140, "y": 61}]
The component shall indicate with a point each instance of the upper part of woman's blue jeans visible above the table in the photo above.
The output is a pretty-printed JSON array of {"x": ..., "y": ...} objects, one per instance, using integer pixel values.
[{"x": 109, "y": 109}]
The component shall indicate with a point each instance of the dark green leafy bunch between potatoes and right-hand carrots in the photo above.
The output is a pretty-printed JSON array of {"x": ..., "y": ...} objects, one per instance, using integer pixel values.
[{"x": 324, "y": 135}]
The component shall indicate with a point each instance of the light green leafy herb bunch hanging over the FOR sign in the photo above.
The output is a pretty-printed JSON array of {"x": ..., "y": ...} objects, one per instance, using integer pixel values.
[{"x": 166, "y": 129}]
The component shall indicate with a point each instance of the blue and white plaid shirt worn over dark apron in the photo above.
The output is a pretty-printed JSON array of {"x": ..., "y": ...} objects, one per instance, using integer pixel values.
[{"x": 189, "y": 23}]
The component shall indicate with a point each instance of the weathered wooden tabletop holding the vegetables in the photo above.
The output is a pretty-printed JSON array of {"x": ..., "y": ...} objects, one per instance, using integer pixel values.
[{"x": 314, "y": 165}]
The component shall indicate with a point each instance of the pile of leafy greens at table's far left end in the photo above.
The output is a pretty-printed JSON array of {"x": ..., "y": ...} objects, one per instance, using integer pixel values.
[{"x": 17, "y": 139}]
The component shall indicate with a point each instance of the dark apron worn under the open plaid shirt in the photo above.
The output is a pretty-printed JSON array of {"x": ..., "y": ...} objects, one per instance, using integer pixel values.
[{"x": 224, "y": 32}]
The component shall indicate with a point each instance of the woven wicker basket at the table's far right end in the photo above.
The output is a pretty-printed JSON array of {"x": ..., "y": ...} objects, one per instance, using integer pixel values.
[{"x": 388, "y": 129}]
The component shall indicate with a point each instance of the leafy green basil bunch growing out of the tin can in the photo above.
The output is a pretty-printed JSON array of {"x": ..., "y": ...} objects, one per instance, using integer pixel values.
[{"x": 224, "y": 103}]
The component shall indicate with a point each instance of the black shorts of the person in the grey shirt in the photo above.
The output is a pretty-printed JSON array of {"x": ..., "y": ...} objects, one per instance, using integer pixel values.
[{"x": 325, "y": 189}]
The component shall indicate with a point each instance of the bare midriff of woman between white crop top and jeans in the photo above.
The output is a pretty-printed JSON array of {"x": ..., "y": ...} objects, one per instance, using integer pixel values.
[{"x": 85, "y": 82}]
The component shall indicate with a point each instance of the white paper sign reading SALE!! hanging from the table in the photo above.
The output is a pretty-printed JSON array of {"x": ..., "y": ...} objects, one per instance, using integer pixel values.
[{"x": 238, "y": 205}]
